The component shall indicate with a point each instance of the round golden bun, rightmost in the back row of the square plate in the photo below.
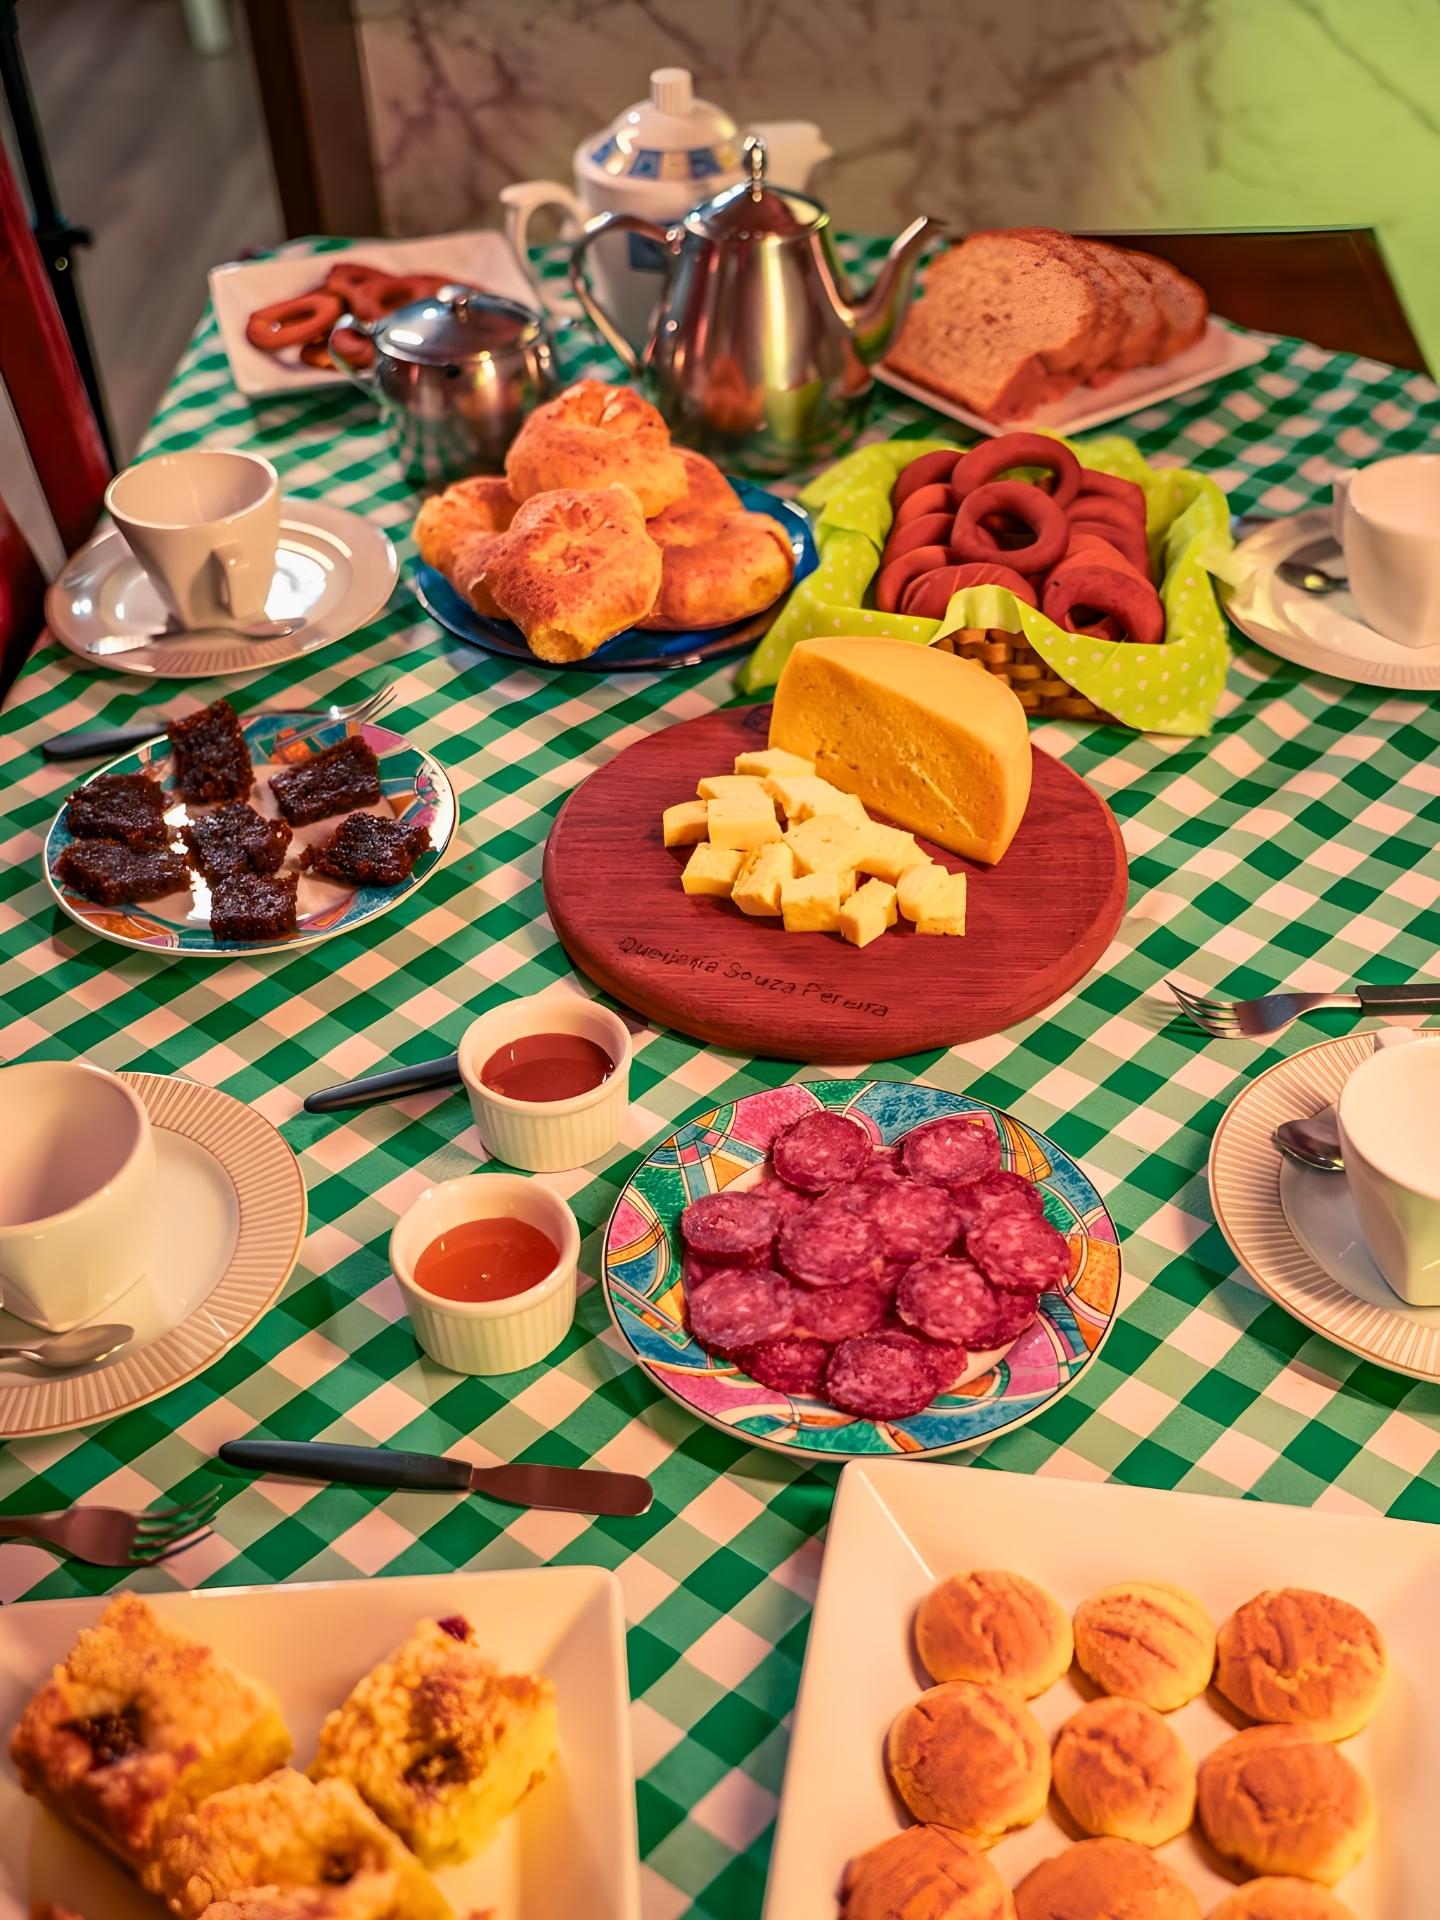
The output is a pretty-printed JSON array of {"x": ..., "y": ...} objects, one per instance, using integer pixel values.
[{"x": 1303, "y": 1660}]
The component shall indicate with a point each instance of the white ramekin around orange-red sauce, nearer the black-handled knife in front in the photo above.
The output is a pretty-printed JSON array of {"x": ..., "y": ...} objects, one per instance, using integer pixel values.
[{"x": 489, "y": 1335}]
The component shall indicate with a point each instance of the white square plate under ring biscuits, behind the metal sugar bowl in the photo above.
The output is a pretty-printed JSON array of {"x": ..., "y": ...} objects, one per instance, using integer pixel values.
[{"x": 481, "y": 260}]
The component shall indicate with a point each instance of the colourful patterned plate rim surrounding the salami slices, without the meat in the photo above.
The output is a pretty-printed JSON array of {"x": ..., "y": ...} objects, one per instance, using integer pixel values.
[{"x": 729, "y": 1143}]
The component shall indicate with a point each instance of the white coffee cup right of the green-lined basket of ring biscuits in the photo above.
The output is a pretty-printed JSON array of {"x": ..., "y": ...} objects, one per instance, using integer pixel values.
[{"x": 1387, "y": 519}]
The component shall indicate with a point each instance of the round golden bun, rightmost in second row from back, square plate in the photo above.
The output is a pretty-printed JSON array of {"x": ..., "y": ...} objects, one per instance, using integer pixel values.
[{"x": 1284, "y": 1802}]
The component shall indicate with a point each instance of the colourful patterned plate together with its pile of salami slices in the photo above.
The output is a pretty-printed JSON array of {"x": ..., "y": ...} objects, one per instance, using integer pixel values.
[{"x": 859, "y": 1268}]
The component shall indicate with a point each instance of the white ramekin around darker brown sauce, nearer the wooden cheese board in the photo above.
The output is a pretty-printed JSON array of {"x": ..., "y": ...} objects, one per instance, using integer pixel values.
[{"x": 548, "y": 1136}]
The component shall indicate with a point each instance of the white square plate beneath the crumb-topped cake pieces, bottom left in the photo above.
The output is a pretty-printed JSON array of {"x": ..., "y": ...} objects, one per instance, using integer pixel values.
[{"x": 569, "y": 1850}]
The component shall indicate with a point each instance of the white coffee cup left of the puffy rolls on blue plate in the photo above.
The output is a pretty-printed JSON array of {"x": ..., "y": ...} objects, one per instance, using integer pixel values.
[{"x": 204, "y": 525}]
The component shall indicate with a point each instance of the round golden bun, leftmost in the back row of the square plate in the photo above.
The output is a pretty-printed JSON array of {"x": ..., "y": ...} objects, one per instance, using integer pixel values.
[{"x": 994, "y": 1627}]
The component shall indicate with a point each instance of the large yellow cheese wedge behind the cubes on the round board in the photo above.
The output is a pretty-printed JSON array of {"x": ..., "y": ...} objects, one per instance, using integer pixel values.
[{"x": 924, "y": 738}]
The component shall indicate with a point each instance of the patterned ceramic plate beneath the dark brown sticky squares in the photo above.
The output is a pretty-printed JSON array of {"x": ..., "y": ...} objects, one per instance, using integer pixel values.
[{"x": 412, "y": 788}]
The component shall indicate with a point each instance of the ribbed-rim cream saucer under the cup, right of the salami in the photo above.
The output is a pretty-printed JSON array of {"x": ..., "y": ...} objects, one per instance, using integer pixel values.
[{"x": 1295, "y": 1232}]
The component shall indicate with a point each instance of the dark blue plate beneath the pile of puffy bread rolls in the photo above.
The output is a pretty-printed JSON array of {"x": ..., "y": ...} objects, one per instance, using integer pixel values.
[{"x": 638, "y": 650}]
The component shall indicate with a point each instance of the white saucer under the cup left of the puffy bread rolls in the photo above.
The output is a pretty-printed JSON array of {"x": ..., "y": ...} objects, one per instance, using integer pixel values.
[{"x": 335, "y": 571}]
